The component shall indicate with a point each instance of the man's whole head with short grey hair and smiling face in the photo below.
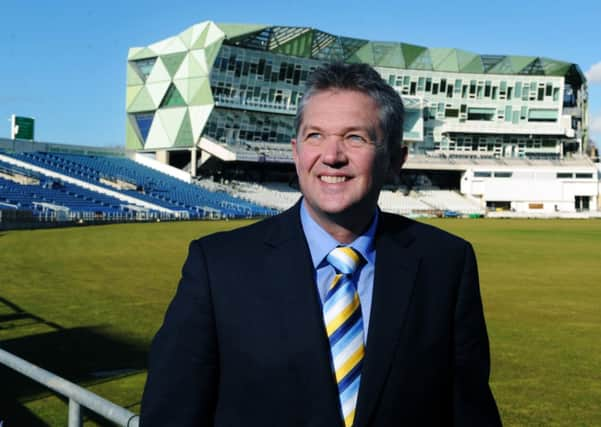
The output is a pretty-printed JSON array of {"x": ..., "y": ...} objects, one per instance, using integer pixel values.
[{"x": 349, "y": 129}]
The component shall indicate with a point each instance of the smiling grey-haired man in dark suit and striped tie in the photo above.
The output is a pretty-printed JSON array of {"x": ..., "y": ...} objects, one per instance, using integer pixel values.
[{"x": 332, "y": 313}]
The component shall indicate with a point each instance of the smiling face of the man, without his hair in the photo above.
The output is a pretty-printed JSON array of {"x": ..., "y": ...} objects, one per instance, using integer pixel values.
[{"x": 340, "y": 176}]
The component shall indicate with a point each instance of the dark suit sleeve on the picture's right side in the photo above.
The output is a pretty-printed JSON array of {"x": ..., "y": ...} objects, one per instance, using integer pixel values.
[{"x": 474, "y": 404}]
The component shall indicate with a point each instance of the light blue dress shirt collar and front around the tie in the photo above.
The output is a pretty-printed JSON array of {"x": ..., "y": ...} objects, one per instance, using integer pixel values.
[{"x": 321, "y": 244}]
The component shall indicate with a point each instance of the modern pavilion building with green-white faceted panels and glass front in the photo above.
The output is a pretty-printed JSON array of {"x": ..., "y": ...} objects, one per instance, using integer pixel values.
[{"x": 231, "y": 91}]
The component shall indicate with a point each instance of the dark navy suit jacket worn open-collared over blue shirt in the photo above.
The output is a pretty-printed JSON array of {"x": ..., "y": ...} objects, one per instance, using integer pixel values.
[{"x": 243, "y": 342}]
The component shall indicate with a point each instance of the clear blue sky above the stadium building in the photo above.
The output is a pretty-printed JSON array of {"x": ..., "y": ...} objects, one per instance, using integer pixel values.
[{"x": 64, "y": 62}]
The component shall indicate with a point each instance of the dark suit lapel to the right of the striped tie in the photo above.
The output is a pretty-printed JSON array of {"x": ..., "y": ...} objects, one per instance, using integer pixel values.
[{"x": 395, "y": 273}]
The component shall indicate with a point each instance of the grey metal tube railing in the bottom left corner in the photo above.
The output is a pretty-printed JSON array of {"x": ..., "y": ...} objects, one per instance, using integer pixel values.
[{"x": 77, "y": 395}]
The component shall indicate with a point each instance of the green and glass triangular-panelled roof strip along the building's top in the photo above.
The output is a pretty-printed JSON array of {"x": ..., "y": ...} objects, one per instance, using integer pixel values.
[{"x": 315, "y": 44}]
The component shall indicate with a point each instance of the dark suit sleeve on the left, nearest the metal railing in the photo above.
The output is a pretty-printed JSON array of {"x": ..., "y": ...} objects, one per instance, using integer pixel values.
[{"x": 183, "y": 368}]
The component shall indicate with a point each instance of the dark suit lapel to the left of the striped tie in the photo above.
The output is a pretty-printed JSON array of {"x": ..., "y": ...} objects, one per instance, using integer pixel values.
[{"x": 291, "y": 278}]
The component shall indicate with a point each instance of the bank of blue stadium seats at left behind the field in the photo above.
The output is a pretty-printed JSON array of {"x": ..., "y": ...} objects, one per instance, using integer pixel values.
[{"x": 124, "y": 177}]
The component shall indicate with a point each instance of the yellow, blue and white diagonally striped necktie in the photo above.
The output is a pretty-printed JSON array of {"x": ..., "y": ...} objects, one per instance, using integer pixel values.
[{"x": 344, "y": 325}]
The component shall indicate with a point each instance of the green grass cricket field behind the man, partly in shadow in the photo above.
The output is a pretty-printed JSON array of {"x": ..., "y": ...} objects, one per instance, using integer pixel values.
[{"x": 85, "y": 303}]
